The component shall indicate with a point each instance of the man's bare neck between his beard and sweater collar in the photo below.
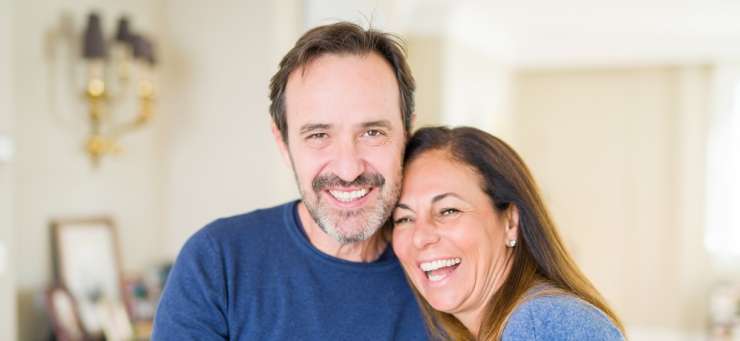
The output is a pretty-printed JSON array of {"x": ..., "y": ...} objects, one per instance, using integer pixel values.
[{"x": 364, "y": 251}]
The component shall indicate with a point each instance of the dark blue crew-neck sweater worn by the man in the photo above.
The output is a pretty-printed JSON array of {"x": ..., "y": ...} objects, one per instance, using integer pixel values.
[{"x": 257, "y": 277}]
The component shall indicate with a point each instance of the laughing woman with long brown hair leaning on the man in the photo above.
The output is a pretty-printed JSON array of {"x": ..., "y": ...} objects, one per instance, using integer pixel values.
[{"x": 481, "y": 251}]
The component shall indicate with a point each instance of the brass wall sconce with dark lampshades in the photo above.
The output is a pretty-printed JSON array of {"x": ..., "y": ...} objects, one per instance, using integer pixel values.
[{"x": 112, "y": 67}]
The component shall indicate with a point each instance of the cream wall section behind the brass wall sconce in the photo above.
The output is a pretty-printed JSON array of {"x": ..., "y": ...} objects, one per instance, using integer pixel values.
[{"x": 53, "y": 177}]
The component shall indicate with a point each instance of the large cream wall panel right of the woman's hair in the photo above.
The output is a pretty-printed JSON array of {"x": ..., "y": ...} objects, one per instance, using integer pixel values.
[{"x": 619, "y": 153}]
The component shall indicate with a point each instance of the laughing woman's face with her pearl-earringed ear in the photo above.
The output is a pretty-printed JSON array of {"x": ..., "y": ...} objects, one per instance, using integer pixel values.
[{"x": 449, "y": 238}]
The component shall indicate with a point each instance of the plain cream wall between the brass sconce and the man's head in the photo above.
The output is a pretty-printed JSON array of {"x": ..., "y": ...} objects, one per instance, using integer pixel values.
[{"x": 220, "y": 158}]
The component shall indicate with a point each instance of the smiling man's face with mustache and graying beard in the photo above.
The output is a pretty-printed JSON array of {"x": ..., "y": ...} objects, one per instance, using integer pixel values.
[{"x": 345, "y": 142}]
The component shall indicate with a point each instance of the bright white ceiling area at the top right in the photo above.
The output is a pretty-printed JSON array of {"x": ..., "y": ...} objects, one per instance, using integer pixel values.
[{"x": 593, "y": 32}]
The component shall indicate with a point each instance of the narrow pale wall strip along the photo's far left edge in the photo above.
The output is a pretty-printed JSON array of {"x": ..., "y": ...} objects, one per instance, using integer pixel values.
[{"x": 7, "y": 275}]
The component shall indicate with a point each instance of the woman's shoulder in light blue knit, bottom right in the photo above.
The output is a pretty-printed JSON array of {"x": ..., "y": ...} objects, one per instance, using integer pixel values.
[{"x": 559, "y": 317}]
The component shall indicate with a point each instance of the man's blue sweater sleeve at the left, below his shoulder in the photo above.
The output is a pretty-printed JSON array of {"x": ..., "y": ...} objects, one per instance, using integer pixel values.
[{"x": 193, "y": 303}]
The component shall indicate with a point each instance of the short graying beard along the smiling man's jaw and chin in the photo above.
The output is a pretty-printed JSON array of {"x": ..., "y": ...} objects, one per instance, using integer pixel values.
[{"x": 375, "y": 215}]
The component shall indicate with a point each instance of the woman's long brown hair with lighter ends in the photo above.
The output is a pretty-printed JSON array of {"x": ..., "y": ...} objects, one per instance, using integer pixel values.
[{"x": 540, "y": 256}]
